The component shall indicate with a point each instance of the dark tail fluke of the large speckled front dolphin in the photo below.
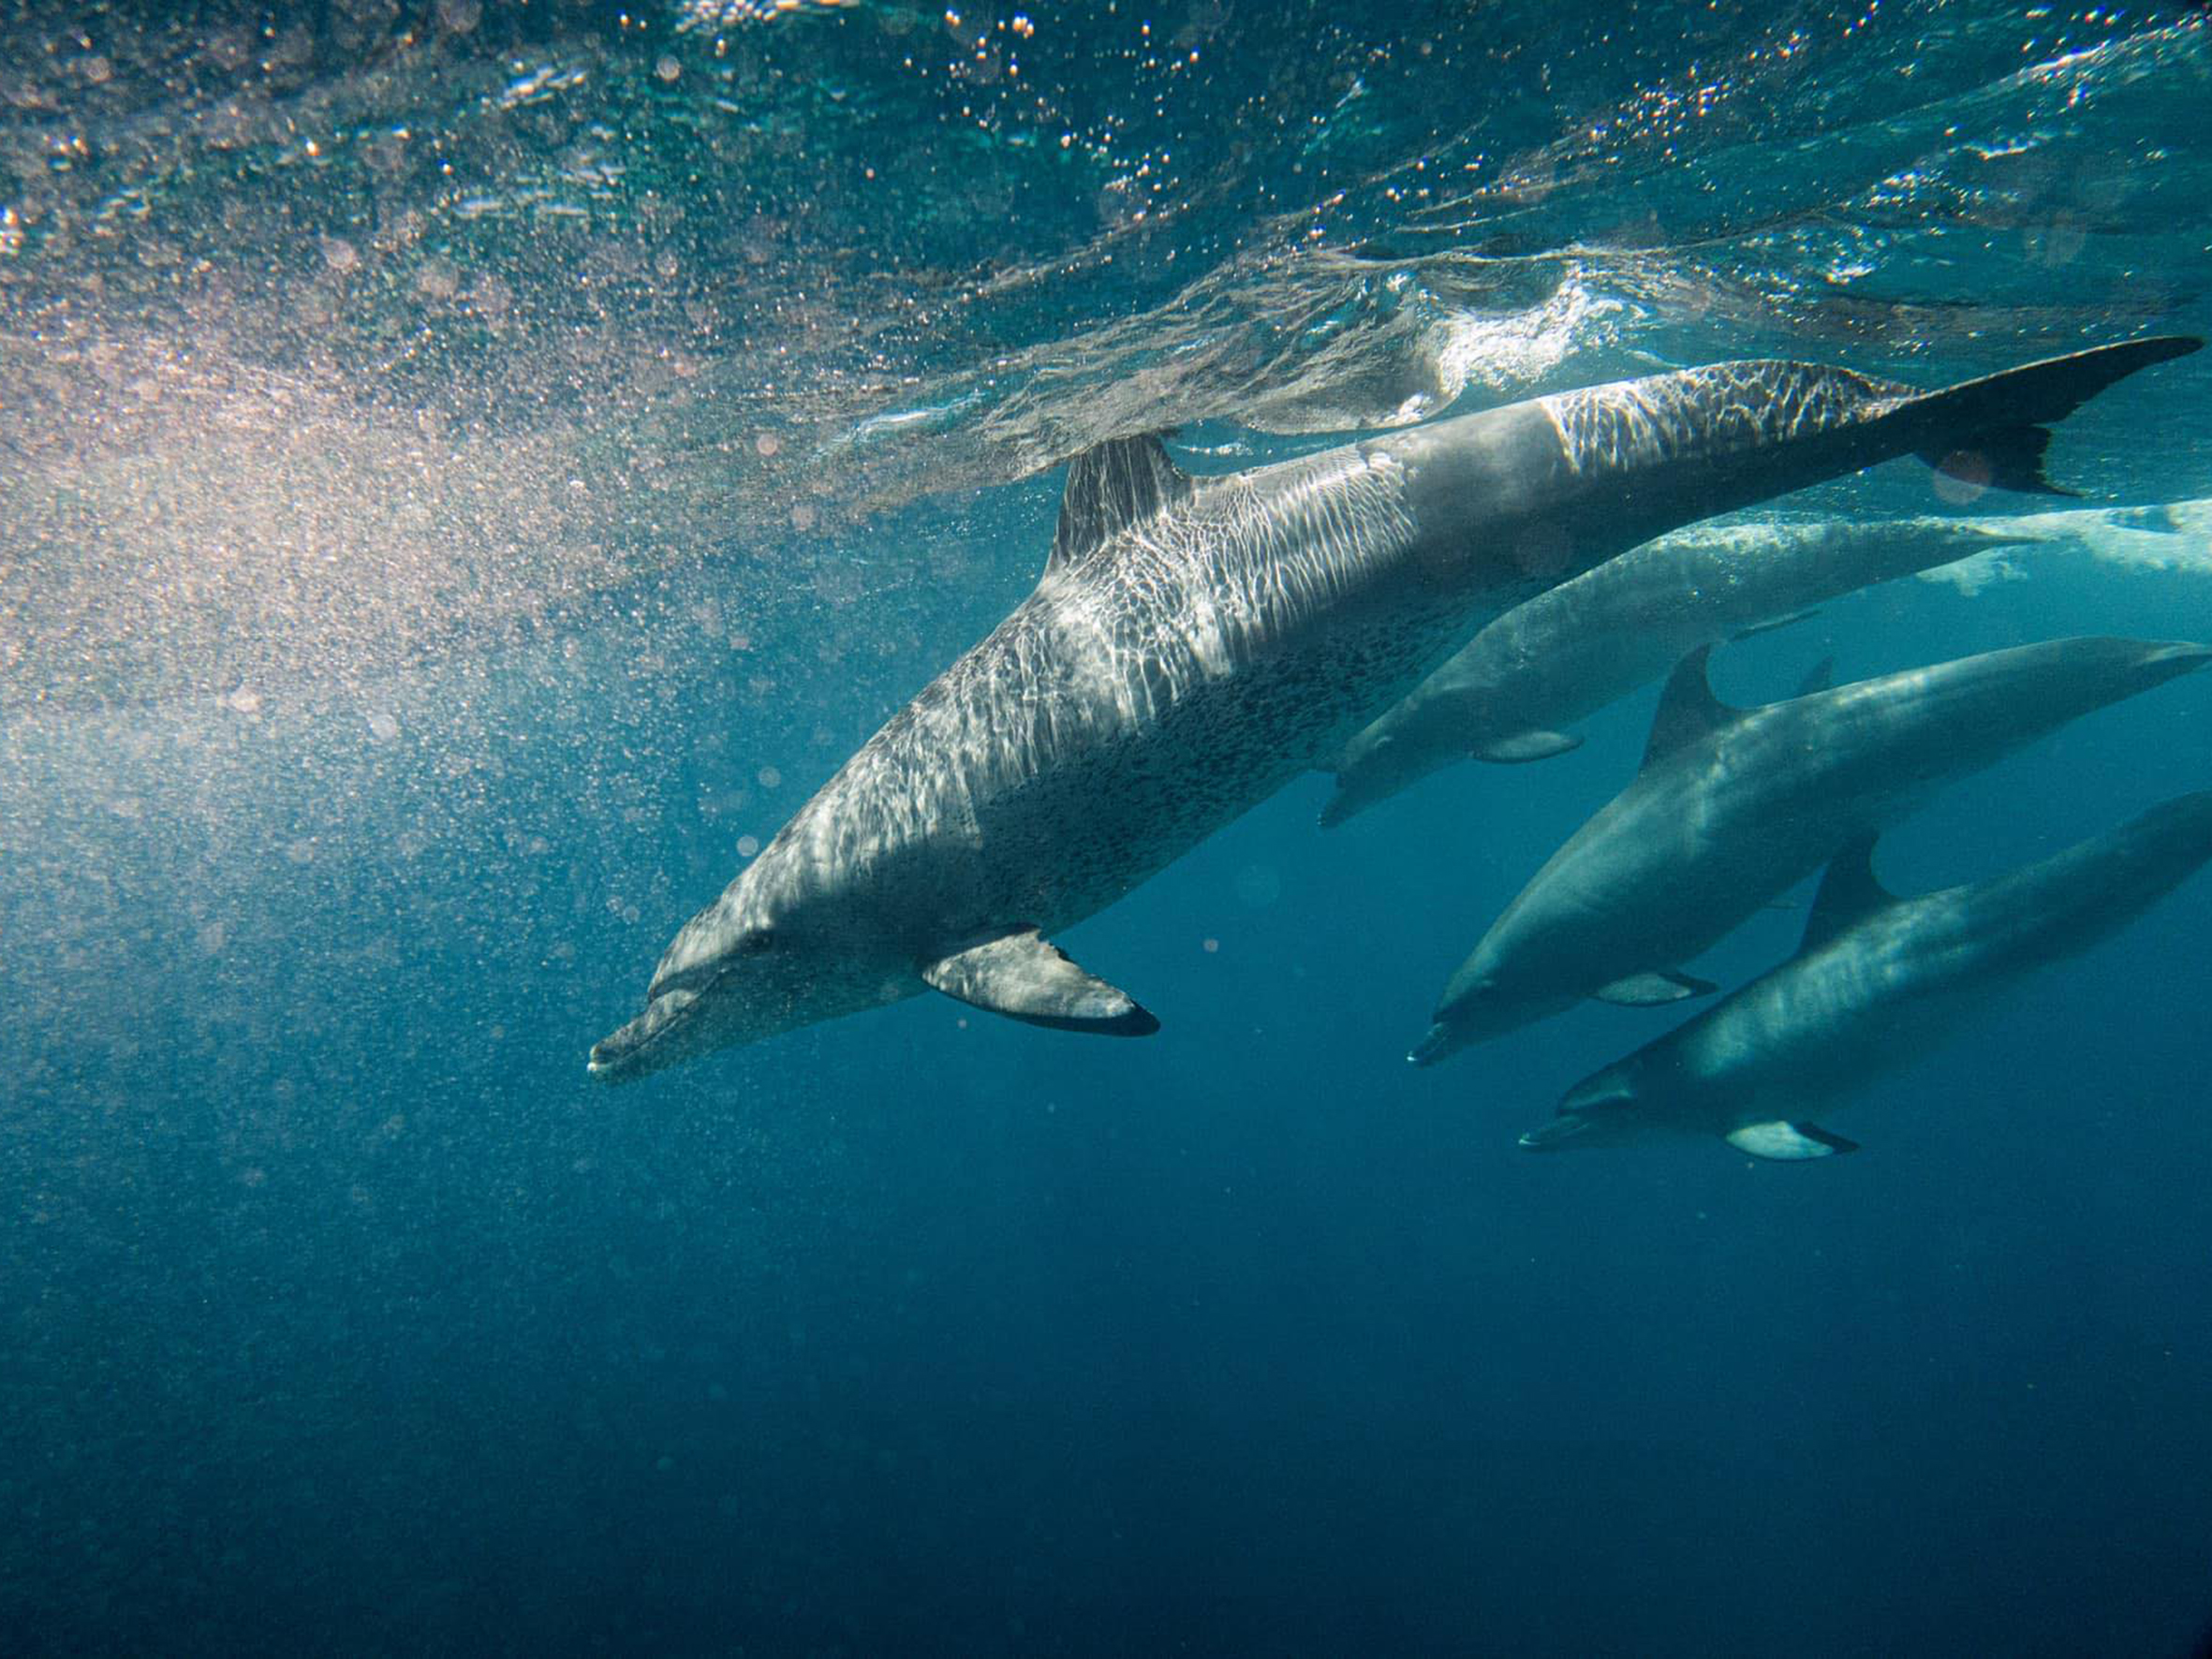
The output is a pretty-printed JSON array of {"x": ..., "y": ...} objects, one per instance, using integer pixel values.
[{"x": 1996, "y": 430}]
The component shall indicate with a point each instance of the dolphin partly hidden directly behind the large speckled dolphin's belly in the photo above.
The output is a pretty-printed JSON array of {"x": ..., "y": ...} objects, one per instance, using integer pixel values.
[{"x": 1516, "y": 687}]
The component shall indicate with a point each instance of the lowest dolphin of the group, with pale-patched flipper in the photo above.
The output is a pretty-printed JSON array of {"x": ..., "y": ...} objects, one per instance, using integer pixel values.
[{"x": 1877, "y": 985}]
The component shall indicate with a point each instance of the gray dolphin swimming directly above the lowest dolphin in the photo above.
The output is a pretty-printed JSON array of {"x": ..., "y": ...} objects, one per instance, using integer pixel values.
[{"x": 1733, "y": 806}]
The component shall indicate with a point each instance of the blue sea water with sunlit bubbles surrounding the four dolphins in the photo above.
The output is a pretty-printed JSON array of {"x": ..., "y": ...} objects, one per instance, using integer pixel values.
[{"x": 468, "y": 466}]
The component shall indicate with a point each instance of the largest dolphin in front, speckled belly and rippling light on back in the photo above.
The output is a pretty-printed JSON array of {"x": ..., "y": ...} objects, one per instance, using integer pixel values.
[{"x": 1198, "y": 643}]
